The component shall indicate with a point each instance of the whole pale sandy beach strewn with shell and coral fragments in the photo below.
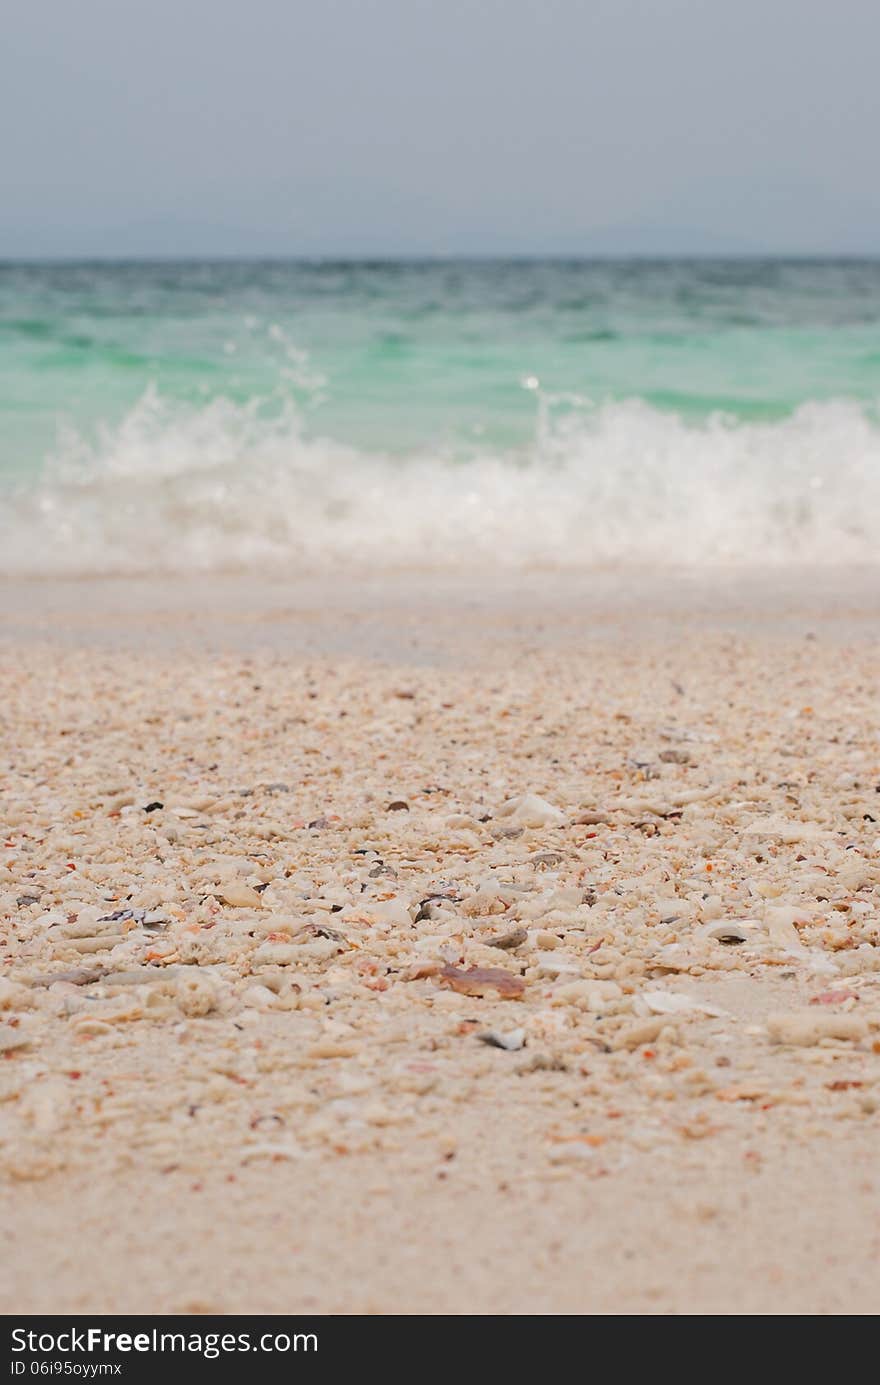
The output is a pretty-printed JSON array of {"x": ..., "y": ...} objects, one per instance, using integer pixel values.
[{"x": 441, "y": 945}]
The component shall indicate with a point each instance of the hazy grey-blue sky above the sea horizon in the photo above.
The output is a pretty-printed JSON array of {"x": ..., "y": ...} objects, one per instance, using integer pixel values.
[{"x": 346, "y": 128}]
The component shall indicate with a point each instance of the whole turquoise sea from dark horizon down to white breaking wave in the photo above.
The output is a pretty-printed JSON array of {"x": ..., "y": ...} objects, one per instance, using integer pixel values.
[{"x": 224, "y": 415}]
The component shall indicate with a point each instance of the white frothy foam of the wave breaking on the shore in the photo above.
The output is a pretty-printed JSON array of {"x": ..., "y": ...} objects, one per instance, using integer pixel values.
[{"x": 224, "y": 487}]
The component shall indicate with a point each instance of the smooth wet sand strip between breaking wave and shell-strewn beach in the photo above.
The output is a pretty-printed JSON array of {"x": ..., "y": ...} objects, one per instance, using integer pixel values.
[{"x": 228, "y": 610}]
